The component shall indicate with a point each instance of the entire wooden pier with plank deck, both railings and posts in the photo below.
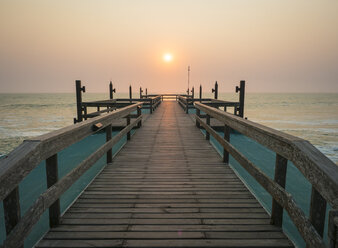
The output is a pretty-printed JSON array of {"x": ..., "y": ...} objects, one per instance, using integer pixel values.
[{"x": 168, "y": 187}]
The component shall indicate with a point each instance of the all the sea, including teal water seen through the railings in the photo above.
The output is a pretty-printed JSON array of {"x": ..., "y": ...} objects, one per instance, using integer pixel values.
[{"x": 313, "y": 117}]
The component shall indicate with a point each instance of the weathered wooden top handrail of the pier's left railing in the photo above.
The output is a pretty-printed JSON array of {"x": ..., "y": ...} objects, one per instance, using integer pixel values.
[{"x": 22, "y": 160}]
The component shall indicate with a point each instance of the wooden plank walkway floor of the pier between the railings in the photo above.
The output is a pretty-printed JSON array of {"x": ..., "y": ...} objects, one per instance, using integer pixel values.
[{"x": 166, "y": 188}]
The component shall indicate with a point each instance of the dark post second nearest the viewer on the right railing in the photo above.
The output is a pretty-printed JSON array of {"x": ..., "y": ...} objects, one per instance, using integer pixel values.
[{"x": 280, "y": 178}]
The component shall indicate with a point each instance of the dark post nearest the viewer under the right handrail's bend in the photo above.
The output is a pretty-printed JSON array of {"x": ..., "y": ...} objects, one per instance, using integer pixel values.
[{"x": 317, "y": 211}]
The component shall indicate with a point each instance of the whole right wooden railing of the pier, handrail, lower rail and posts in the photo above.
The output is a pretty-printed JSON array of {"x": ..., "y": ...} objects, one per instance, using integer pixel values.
[{"x": 320, "y": 171}]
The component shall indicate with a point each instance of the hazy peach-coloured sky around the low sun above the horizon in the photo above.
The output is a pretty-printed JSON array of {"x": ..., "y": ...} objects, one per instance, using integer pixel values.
[{"x": 276, "y": 46}]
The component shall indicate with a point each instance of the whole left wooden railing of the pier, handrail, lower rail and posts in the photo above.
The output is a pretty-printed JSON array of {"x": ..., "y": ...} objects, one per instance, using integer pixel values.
[{"x": 20, "y": 162}]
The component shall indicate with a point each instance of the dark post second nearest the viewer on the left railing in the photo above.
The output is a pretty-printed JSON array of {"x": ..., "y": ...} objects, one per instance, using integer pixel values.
[{"x": 52, "y": 178}]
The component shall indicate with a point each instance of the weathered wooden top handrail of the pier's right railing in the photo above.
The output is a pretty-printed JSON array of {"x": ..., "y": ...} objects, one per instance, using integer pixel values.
[{"x": 319, "y": 170}]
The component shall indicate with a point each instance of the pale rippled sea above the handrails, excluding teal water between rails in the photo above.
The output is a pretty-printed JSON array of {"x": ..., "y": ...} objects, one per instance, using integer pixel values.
[{"x": 313, "y": 117}]
